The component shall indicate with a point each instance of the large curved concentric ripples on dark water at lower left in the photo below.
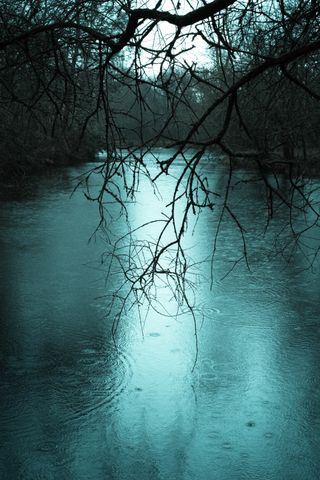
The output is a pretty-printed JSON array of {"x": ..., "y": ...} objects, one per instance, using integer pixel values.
[{"x": 69, "y": 386}]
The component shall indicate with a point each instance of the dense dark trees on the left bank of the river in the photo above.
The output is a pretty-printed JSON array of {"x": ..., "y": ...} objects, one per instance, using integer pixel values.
[{"x": 46, "y": 91}]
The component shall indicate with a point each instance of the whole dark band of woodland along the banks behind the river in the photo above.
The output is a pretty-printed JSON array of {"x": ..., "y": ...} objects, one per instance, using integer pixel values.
[{"x": 66, "y": 90}]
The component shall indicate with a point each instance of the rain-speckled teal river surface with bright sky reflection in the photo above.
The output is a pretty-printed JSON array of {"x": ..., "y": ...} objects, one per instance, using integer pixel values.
[{"x": 76, "y": 405}]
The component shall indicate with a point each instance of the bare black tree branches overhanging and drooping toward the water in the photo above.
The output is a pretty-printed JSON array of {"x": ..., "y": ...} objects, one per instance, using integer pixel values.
[{"x": 147, "y": 90}]
